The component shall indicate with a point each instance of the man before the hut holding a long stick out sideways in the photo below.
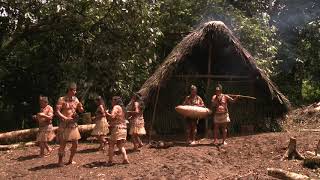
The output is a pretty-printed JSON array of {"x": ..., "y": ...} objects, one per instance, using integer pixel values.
[{"x": 221, "y": 116}]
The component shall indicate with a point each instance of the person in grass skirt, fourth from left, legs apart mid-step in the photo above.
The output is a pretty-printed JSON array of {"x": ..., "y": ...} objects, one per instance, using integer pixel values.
[{"x": 118, "y": 129}]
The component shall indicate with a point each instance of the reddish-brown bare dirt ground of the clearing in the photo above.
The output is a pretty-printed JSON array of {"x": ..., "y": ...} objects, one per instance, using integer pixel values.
[{"x": 245, "y": 157}]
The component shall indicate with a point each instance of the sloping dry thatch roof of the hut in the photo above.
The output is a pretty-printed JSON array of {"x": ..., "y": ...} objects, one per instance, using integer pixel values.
[{"x": 211, "y": 32}]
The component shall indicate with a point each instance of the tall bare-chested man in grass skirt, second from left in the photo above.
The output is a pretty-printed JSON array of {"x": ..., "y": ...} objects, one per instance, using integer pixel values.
[{"x": 66, "y": 110}]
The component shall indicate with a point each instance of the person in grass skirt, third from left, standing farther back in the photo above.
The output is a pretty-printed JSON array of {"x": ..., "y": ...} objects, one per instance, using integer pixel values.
[{"x": 101, "y": 128}]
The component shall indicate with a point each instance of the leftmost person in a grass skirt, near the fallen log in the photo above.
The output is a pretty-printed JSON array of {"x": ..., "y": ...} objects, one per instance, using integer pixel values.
[{"x": 44, "y": 118}]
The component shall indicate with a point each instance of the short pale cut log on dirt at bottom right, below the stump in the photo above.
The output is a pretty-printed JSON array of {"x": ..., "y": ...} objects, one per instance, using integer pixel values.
[{"x": 282, "y": 174}]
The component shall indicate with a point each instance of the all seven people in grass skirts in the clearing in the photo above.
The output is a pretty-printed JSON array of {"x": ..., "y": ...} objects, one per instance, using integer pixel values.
[{"x": 115, "y": 122}]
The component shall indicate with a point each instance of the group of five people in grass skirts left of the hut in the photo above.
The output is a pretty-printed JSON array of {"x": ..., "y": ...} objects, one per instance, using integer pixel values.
[{"x": 112, "y": 122}]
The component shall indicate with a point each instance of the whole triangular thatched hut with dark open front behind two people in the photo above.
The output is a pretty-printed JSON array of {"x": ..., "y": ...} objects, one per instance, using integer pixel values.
[{"x": 205, "y": 57}]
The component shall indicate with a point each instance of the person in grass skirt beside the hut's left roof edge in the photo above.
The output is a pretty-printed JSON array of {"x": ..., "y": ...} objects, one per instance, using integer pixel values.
[{"x": 136, "y": 120}]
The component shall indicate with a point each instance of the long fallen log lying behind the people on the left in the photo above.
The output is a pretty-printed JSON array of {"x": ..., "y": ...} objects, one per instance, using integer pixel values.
[{"x": 30, "y": 134}]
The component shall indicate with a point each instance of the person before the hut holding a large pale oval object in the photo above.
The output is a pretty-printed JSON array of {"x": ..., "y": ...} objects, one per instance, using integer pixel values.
[{"x": 194, "y": 100}]
